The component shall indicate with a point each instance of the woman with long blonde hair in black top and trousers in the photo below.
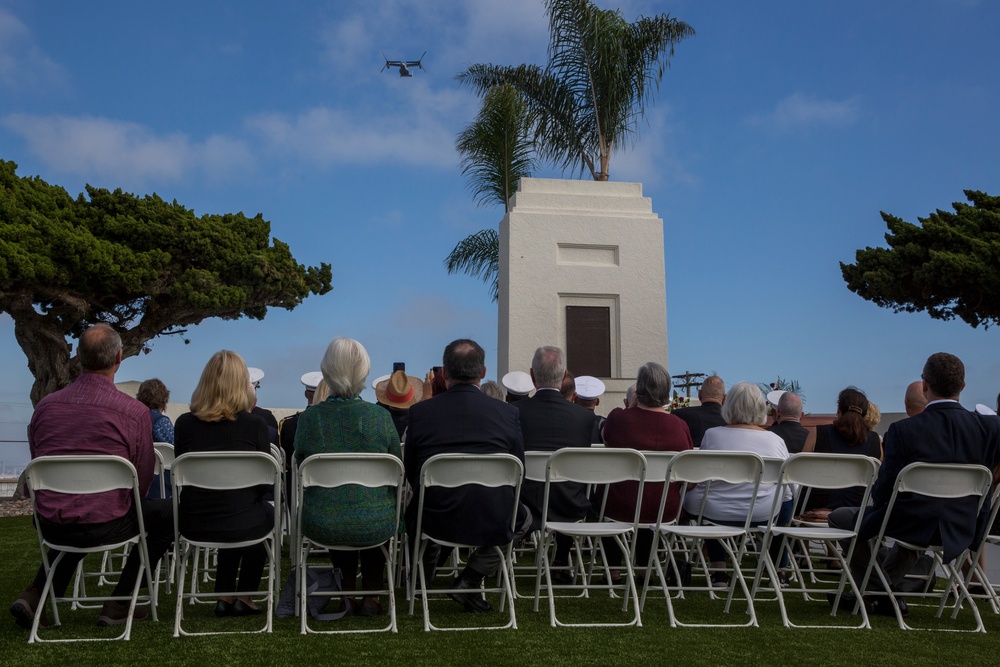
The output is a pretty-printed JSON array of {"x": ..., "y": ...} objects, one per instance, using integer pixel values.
[{"x": 220, "y": 421}]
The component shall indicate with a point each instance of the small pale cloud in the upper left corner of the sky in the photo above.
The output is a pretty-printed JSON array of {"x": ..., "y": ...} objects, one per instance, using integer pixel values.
[{"x": 24, "y": 67}]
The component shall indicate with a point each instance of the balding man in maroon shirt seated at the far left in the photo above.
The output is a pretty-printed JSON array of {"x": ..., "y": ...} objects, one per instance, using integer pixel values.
[{"x": 91, "y": 416}]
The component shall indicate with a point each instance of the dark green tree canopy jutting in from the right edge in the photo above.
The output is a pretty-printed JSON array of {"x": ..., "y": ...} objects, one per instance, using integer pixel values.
[{"x": 948, "y": 265}]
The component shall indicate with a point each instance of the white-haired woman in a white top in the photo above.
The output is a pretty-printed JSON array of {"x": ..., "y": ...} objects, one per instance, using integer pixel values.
[{"x": 745, "y": 412}]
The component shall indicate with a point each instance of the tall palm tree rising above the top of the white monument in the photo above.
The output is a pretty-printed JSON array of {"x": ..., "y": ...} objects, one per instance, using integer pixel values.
[{"x": 602, "y": 71}]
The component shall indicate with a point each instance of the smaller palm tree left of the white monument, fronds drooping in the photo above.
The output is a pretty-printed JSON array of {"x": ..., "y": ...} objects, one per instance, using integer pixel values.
[{"x": 496, "y": 152}]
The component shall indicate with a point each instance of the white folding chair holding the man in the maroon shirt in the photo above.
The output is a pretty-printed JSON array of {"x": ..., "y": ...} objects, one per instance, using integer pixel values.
[{"x": 87, "y": 475}]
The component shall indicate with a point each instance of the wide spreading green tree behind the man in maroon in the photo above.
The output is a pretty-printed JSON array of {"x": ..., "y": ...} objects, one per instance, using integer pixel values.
[{"x": 145, "y": 266}]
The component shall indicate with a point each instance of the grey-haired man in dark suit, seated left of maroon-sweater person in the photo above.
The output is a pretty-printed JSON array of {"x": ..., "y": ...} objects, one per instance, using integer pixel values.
[{"x": 549, "y": 423}]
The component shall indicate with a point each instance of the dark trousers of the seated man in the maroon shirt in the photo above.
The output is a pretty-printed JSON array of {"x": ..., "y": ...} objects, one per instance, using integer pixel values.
[{"x": 158, "y": 518}]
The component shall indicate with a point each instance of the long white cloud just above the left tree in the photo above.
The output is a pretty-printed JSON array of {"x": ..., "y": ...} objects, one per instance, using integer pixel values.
[{"x": 123, "y": 152}]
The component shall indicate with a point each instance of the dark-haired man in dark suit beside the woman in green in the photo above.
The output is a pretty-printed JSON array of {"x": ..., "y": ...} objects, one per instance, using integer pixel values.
[{"x": 464, "y": 420}]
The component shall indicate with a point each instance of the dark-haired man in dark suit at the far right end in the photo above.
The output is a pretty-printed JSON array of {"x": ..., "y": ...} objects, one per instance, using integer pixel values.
[{"x": 944, "y": 432}]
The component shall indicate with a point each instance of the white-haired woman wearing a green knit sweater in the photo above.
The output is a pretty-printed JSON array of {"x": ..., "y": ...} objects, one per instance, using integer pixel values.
[{"x": 352, "y": 515}]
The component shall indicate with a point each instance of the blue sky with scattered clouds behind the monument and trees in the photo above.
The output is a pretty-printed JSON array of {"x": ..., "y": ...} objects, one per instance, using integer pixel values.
[{"x": 780, "y": 131}]
